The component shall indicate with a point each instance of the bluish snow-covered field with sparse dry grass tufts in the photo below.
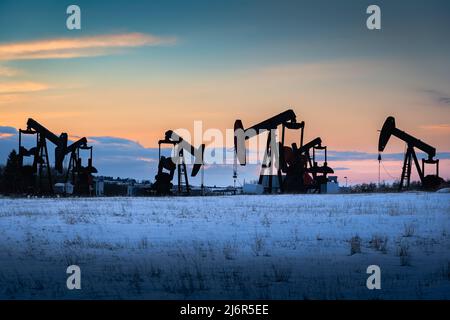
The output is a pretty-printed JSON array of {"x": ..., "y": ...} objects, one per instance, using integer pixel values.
[{"x": 237, "y": 247}]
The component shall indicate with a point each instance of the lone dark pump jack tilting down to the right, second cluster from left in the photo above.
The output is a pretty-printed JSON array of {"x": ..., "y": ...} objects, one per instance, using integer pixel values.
[{"x": 168, "y": 165}]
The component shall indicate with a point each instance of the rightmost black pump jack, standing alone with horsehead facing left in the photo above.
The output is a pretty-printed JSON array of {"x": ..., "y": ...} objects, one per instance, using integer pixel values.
[{"x": 428, "y": 181}]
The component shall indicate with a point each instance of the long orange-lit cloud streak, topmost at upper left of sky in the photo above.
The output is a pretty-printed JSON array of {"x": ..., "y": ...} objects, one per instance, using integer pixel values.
[{"x": 64, "y": 48}]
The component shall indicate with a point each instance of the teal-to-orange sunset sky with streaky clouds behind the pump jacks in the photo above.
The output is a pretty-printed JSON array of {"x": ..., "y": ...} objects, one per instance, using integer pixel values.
[{"x": 139, "y": 68}]
